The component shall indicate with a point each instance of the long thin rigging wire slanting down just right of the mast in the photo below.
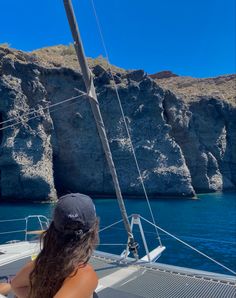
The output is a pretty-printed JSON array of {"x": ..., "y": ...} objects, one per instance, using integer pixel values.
[{"x": 125, "y": 122}]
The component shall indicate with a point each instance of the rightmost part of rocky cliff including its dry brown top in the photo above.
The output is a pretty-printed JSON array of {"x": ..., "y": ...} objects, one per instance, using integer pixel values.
[{"x": 202, "y": 116}]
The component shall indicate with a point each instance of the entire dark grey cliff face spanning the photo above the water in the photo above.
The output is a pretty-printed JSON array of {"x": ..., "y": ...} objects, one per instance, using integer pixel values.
[{"x": 180, "y": 147}]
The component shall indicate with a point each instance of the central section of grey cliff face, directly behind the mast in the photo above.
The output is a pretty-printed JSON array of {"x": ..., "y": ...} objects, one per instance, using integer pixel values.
[{"x": 79, "y": 161}]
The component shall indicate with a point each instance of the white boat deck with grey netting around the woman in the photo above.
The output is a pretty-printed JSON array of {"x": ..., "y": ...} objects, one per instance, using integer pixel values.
[{"x": 129, "y": 279}]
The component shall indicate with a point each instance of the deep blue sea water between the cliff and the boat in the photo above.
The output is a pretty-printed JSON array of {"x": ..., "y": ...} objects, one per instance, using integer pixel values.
[{"x": 208, "y": 224}]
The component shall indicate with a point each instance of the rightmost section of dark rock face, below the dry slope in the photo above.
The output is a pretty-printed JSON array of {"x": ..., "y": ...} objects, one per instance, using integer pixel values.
[{"x": 205, "y": 131}]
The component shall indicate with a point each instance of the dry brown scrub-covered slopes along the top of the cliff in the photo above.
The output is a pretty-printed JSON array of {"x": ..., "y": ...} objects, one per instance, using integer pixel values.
[{"x": 188, "y": 88}]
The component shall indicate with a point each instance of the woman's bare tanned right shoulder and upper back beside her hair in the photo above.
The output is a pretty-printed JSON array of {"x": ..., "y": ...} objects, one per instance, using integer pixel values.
[{"x": 79, "y": 285}]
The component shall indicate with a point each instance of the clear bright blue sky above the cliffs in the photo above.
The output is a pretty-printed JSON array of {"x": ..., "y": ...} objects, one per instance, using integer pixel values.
[{"x": 194, "y": 37}]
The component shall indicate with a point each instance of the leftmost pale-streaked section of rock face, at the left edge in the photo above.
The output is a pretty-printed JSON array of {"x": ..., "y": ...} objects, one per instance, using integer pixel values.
[{"x": 26, "y": 152}]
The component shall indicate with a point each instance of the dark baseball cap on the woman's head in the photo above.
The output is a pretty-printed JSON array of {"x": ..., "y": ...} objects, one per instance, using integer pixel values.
[{"x": 74, "y": 207}]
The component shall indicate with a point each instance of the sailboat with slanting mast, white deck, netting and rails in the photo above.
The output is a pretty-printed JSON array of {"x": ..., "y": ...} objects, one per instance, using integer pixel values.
[{"x": 127, "y": 275}]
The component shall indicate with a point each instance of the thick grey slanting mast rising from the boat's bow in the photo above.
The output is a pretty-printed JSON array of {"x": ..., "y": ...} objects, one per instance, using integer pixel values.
[{"x": 88, "y": 80}]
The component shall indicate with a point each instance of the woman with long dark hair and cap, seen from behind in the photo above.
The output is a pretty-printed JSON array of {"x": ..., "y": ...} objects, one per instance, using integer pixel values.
[{"x": 61, "y": 269}]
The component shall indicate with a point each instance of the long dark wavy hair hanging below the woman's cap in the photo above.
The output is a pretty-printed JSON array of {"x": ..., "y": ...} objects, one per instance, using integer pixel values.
[{"x": 61, "y": 256}]
